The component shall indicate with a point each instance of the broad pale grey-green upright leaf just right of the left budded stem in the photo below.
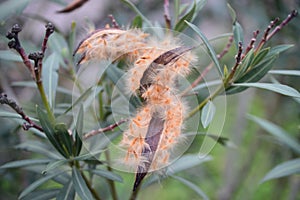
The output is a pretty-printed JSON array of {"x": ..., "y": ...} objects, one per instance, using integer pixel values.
[{"x": 50, "y": 77}]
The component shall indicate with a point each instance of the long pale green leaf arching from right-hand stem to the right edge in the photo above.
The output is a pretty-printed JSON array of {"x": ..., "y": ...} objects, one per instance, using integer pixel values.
[{"x": 275, "y": 87}]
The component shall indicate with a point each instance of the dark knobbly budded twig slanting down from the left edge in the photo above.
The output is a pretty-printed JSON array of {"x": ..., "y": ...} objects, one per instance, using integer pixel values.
[{"x": 12, "y": 103}]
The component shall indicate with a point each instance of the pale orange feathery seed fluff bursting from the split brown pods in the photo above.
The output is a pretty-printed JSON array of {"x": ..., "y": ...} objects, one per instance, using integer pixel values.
[{"x": 161, "y": 97}]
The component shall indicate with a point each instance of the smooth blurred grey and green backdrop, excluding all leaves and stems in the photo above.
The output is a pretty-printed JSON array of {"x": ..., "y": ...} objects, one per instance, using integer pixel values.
[{"x": 234, "y": 173}]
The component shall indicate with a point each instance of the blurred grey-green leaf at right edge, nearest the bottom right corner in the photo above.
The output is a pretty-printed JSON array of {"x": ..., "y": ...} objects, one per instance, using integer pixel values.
[{"x": 284, "y": 169}]
